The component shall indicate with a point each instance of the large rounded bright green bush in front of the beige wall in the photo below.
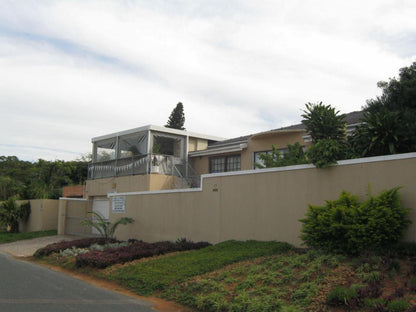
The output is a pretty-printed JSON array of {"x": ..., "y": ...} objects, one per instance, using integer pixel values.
[{"x": 348, "y": 226}]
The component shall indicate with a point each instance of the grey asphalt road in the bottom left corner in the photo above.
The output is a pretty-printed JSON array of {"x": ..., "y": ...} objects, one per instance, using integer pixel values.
[{"x": 27, "y": 287}]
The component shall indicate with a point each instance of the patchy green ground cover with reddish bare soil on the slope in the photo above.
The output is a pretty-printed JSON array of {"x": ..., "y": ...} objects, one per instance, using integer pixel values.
[{"x": 259, "y": 285}]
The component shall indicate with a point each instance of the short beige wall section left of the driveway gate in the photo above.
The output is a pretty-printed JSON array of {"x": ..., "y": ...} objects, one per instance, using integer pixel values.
[{"x": 43, "y": 215}]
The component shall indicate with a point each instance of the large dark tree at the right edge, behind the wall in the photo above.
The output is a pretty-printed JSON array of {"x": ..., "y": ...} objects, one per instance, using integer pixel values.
[{"x": 389, "y": 125}]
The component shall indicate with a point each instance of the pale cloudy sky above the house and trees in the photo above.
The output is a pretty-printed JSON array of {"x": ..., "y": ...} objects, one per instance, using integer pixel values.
[{"x": 73, "y": 70}]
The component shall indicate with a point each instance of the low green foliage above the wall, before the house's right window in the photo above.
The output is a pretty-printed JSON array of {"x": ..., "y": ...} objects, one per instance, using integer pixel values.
[{"x": 294, "y": 156}]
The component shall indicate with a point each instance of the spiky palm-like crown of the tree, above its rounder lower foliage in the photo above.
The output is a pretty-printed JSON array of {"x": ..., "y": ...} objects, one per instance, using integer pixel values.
[{"x": 323, "y": 122}]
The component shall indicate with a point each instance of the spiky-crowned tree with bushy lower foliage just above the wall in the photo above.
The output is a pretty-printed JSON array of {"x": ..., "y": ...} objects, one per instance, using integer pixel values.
[{"x": 328, "y": 132}]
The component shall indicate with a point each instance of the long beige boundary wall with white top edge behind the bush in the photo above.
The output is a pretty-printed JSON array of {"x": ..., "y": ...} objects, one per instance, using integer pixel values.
[{"x": 261, "y": 204}]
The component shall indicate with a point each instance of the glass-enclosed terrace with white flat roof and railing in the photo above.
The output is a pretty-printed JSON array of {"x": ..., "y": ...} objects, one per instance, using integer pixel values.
[{"x": 146, "y": 150}]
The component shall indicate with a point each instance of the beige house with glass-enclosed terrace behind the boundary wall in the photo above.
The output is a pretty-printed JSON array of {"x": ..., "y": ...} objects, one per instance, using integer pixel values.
[{"x": 158, "y": 158}]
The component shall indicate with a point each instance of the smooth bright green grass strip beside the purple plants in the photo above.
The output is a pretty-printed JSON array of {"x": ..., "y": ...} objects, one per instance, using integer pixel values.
[{"x": 145, "y": 278}]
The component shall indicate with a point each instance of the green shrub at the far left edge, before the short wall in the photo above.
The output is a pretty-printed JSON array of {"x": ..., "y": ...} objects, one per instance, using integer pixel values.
[{"x": 12, "y": 213}]
